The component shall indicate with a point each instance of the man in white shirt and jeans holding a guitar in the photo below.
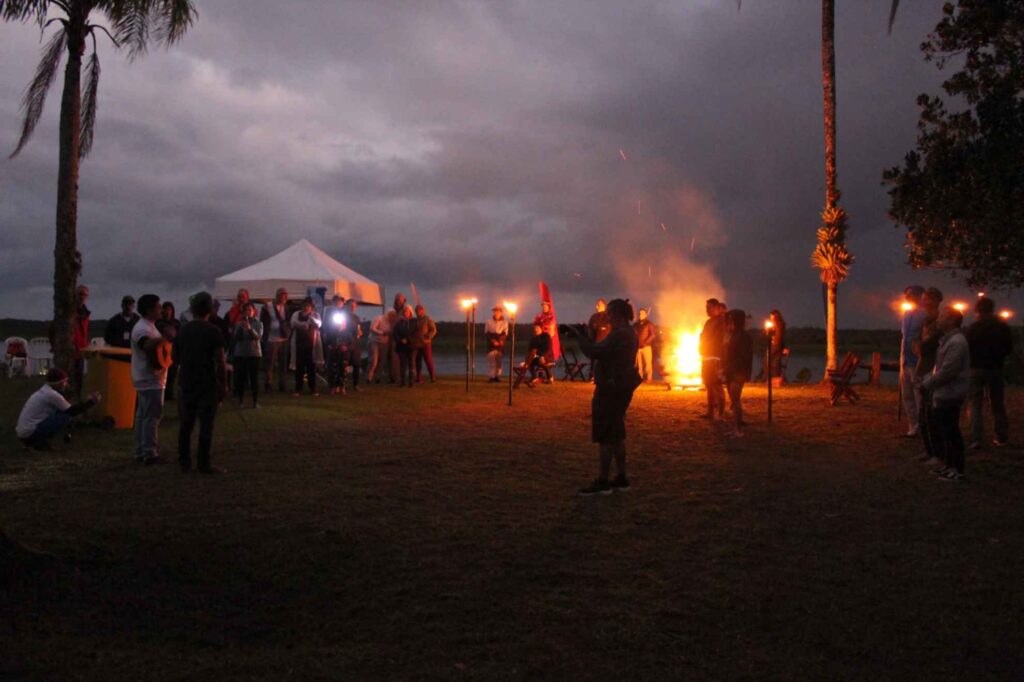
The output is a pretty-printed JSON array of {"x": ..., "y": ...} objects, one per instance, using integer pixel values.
[{"x": 149, "y": 376}]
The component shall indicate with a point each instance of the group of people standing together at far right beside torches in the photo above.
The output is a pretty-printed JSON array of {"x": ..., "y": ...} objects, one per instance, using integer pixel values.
[{"x": 943, "y": 366}]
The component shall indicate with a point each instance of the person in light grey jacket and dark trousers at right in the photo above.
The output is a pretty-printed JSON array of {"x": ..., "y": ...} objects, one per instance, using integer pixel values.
[{"x": 949, "y": 386}]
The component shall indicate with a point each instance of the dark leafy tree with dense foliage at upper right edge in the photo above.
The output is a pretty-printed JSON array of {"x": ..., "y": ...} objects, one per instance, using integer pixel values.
[{"x": 959, "y": 193}]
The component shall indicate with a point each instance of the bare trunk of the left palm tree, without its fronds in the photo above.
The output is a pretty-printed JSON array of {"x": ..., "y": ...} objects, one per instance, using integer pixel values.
[{"x": 67, "y": 260}]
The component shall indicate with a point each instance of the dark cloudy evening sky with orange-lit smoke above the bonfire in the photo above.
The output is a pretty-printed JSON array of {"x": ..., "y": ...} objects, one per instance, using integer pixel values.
[{"x": 475, "y": 148}]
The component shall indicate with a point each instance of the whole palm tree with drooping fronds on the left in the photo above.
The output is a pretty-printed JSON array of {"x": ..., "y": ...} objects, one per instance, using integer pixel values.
[{"x": 133, "y": 24}]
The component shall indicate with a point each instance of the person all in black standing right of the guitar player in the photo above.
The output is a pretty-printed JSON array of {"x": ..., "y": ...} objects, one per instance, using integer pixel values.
[{"x": 203, "y": 380}]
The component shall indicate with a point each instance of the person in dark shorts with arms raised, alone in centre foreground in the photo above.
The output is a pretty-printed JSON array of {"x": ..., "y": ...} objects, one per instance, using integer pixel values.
[{"x": 616, "y": 379}]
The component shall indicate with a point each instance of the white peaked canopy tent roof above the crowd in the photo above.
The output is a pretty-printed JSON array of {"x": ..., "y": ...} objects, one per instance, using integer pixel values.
[{"x": 297, "y": 268}]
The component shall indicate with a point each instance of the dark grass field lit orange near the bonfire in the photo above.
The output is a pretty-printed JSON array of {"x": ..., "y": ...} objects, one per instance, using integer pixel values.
[{"x": 430, "y": 534}]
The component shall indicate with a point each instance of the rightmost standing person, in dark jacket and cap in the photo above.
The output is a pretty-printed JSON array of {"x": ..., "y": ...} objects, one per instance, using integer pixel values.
[{"x": 991, "y": 342}]
